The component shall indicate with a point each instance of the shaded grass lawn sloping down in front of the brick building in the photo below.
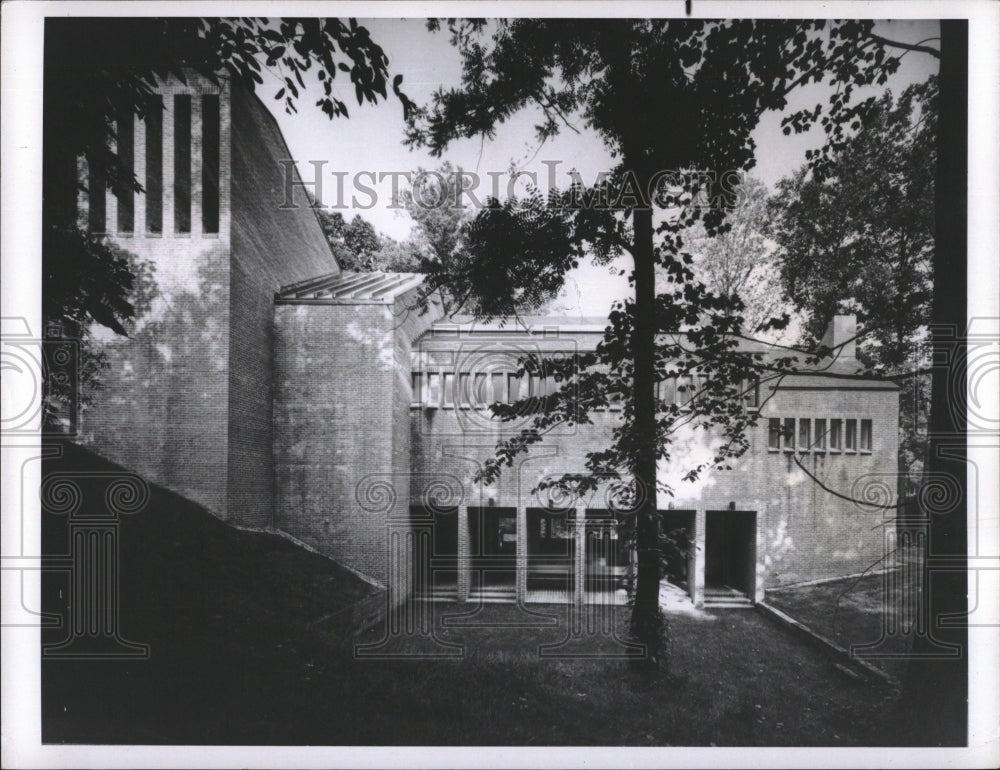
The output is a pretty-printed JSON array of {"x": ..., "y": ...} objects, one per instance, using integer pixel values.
[{"x": 235, "y": 659}]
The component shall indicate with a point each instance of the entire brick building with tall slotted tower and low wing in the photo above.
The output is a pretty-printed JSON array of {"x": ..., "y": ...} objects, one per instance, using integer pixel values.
[{"x": 284, "y": 394}]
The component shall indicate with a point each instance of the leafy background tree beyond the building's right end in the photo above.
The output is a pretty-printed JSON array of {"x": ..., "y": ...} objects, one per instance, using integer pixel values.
[{"x": 859, "y": 237}]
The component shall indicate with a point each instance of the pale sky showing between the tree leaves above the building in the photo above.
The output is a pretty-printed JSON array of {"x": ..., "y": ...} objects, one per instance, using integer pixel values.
[{"x": 370, "y": 142}]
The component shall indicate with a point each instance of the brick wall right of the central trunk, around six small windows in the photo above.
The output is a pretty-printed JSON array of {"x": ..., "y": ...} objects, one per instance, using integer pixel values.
[{"x": 804, "y": 531}]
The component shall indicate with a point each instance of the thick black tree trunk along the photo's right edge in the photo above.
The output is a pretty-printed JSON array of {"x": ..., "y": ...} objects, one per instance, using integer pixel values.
[{"x": 933, "y": 705}]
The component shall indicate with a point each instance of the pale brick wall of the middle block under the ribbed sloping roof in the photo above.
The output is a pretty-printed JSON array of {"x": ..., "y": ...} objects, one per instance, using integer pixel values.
[{"x": 341, "y": 452}]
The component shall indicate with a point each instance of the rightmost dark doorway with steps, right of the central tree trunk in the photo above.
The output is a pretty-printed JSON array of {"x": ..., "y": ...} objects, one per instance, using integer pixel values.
[{"x": 731, "y": 551}]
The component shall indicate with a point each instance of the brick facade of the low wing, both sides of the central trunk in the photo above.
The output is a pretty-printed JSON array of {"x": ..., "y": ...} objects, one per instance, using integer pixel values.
[{"x": 804, "y": 531}]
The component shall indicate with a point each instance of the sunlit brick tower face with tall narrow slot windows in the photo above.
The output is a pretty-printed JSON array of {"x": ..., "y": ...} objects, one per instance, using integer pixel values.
[{"x": 162, "y": 405}]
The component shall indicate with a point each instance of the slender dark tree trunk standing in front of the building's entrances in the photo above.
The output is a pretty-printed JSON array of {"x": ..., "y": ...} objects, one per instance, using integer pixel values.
[{"x": 646, "y": 619}]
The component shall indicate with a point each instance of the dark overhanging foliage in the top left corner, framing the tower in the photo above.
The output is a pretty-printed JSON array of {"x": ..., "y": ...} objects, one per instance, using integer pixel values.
[{"x": 98, "y": 71}]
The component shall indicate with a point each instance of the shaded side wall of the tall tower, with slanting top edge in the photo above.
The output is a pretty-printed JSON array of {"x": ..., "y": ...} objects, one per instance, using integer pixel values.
[{"x": 272, "y": 247}]
